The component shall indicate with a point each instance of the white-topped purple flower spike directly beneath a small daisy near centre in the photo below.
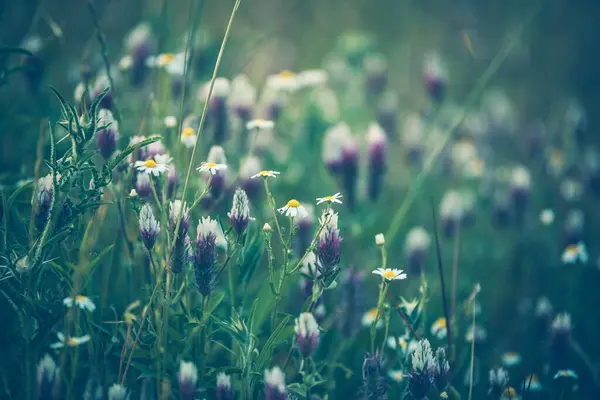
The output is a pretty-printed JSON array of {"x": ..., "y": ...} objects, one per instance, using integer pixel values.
[{"x": 328, "y": 247}]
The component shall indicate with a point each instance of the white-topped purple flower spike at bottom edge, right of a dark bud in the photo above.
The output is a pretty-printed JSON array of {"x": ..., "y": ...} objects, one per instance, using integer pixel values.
[{"x": 421, "y": 379}]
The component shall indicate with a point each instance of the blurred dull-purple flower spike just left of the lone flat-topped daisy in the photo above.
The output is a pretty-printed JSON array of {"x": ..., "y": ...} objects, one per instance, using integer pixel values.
[{"x": 352, "y": 304}]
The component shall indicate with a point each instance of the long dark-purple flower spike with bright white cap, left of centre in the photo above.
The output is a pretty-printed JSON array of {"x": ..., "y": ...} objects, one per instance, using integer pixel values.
[{"x": 204, "y": 257}]
